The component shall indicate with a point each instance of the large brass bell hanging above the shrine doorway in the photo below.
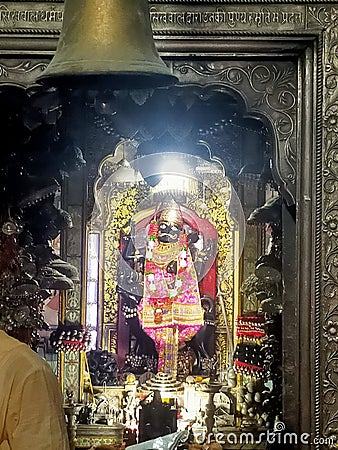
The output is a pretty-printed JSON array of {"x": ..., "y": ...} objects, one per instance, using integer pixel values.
[{"x": 108, "y": 43}]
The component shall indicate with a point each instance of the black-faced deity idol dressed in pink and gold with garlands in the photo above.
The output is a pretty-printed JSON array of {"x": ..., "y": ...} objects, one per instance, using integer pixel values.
[{"x": 170, "y": 311}]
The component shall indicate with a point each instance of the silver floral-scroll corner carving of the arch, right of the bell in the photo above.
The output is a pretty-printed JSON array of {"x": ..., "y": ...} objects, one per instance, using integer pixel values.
[{"x": 269, "y": 92}]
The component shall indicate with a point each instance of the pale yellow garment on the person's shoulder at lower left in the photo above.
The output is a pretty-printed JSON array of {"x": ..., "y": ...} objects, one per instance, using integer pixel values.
[{"x": 31, "y": 413}]
